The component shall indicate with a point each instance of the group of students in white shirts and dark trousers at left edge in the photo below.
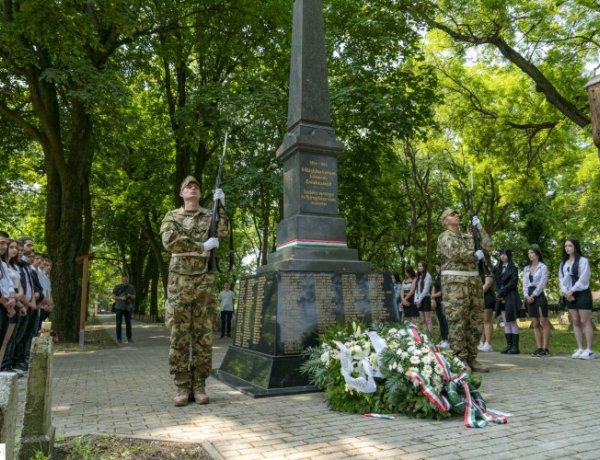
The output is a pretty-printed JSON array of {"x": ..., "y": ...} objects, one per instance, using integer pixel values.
[{"x": 25, "y": 300}]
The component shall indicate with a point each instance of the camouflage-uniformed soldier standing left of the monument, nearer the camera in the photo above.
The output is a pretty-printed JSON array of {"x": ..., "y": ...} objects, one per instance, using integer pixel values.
[{"x": 190, "y": 300}]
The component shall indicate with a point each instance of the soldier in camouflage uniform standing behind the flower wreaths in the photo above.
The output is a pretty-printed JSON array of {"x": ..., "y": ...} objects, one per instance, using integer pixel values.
[{"x": 462, "y": 287}]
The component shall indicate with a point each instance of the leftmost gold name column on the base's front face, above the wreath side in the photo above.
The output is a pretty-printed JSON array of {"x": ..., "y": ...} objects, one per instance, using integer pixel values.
[{"x": 291, "y": 334}]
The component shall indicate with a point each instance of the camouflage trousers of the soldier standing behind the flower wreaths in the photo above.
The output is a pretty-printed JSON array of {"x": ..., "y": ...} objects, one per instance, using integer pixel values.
[{"x": 463, "y": 303}]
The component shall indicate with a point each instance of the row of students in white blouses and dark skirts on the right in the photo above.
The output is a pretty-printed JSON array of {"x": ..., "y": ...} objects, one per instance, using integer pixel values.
[{"x": 417, "y": 293}]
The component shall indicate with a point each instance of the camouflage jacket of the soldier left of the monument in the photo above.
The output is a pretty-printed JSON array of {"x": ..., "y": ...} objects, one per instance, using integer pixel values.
[{"x": 183, "y": 233}]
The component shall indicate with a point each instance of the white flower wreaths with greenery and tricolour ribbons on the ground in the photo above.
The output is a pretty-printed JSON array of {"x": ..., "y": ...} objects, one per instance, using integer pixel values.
[{"x": 391, "y": 369}]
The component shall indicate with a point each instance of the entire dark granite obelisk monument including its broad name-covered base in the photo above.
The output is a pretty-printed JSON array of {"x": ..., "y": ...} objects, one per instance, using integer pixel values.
[{"x": 313, "y": 280}]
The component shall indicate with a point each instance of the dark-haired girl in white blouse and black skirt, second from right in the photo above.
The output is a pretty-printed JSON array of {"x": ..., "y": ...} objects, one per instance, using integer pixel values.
[{"x": 535, "y": 279}]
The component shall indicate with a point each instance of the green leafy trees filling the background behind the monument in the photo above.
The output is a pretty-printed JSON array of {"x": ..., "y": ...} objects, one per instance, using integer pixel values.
[{"x": 105, "y": 107}]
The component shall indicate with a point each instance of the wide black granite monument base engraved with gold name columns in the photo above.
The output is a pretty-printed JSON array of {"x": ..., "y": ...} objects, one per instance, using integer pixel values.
[{"x": 280, "y": 313}]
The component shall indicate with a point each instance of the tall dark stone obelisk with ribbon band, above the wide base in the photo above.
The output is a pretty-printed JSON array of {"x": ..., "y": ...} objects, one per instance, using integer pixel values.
[{"x": 312, "y": 234}]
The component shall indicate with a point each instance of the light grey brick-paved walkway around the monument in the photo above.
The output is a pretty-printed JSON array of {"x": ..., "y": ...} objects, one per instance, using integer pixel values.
[{"x": 128, "y": 390}]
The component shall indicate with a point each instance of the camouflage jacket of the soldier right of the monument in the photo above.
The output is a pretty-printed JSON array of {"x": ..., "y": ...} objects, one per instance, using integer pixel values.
[{"x": 455, "y": 251}]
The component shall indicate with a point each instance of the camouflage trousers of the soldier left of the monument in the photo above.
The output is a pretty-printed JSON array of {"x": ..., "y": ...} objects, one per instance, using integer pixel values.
[{"x": 189, "y": 315}]
